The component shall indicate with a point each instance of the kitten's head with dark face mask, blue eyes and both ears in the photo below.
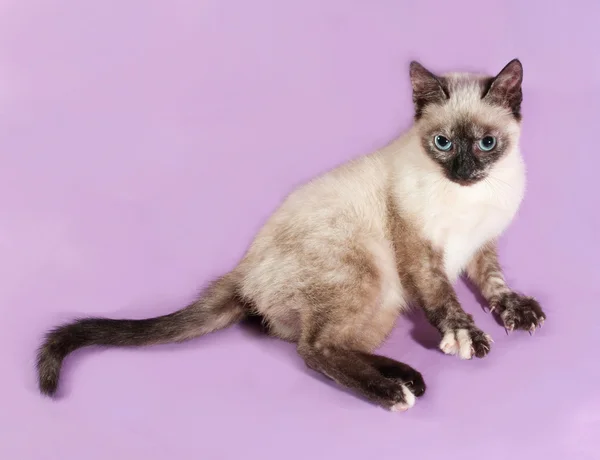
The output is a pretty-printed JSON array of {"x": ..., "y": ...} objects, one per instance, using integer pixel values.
[{"x": 467, "y": 122}]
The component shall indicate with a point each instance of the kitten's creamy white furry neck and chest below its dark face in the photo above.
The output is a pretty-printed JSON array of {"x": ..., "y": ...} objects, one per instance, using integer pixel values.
[{"x": 440, "y": 208}]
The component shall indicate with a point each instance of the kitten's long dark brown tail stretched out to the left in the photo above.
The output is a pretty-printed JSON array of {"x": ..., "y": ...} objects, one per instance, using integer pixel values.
[{"x": 218, "y": 307}]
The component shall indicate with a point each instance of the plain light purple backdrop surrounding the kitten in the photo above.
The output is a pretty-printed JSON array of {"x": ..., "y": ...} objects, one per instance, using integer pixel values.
[{"x": 143, "y": 143}]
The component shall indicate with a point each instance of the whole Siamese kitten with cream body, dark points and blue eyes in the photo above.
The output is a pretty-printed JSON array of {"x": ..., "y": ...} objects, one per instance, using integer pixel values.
[{"x": 345, "y": 254}]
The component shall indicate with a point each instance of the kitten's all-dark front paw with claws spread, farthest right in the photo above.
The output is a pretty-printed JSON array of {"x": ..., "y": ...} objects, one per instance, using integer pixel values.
[{"x": 518, "y": 312}]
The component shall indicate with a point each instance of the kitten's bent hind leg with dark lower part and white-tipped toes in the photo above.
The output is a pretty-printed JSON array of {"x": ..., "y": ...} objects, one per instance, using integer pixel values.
[{"x": 339, "y": 334}]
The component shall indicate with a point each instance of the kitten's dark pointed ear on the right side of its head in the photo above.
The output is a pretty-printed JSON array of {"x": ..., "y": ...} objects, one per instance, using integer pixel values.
[{"x": 505, "y": 88}]
